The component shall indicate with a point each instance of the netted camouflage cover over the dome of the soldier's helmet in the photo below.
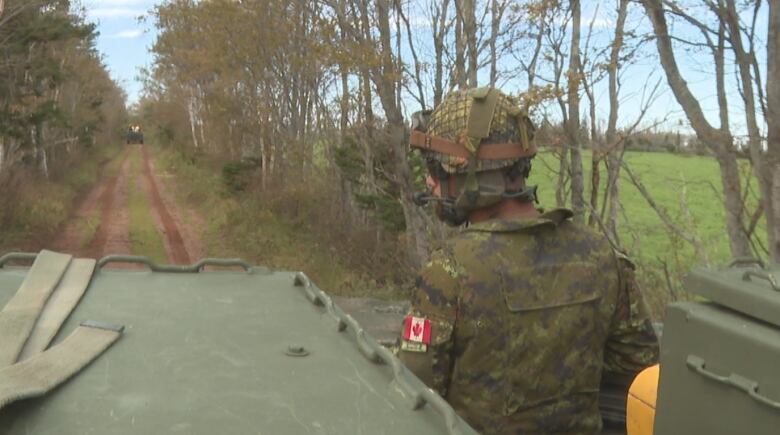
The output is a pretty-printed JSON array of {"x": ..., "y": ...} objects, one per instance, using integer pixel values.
[{"x": 454, "y": 120}]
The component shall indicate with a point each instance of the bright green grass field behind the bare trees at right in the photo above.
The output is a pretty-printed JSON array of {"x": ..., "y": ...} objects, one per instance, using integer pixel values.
[{"x": 672, "y": 180}]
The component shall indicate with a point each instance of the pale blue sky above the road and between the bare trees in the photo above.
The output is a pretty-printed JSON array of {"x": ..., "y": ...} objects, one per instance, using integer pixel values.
[{"x": 125, "y": 41}]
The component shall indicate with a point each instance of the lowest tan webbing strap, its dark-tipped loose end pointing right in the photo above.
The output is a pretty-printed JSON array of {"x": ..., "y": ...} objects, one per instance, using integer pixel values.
[{"x": 44, "y": 371}]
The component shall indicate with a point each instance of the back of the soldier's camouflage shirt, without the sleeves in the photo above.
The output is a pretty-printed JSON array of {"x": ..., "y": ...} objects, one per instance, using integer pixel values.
[{"x": 536, "y": 302}]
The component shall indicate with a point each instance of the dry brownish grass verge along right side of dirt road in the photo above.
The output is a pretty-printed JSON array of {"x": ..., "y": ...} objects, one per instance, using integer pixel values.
[{"x": 293, "y": 235}]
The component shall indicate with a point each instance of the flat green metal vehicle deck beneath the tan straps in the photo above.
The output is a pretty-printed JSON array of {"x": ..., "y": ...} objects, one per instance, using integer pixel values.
[{"x": 215, "y": 352}]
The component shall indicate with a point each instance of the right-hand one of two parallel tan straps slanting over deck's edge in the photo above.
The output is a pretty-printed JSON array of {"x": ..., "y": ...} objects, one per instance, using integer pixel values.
[{"x": 59, "y": 306}]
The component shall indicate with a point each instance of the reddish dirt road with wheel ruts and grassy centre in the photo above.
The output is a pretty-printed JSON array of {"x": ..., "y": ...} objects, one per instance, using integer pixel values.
[{"x": 103, "y": 225}]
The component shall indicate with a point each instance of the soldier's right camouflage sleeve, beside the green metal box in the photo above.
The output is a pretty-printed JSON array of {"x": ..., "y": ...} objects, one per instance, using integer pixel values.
[{"x": 632, "y": 344}]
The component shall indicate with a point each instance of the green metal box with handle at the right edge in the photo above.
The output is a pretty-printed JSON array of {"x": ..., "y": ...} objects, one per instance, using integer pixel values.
[{"x": 720, "y": 360}]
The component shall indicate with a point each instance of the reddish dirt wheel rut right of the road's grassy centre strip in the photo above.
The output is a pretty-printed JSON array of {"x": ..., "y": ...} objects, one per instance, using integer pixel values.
[{"x": 174, "y": 243}]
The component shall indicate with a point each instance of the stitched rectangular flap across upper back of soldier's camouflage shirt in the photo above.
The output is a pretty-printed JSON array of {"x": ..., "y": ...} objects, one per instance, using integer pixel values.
[{"x": 546, "y": 287}]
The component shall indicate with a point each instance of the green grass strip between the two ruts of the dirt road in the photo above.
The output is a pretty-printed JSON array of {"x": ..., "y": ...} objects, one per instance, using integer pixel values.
[{"x": 145, "y": 238}]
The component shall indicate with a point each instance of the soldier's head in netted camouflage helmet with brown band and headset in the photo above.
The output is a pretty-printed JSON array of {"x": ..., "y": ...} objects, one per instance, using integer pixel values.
[{"x": 472, "y": 142}]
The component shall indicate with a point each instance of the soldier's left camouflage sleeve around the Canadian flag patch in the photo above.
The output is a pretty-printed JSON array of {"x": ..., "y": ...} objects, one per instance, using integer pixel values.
[{"x": 435, "y": 299}]
